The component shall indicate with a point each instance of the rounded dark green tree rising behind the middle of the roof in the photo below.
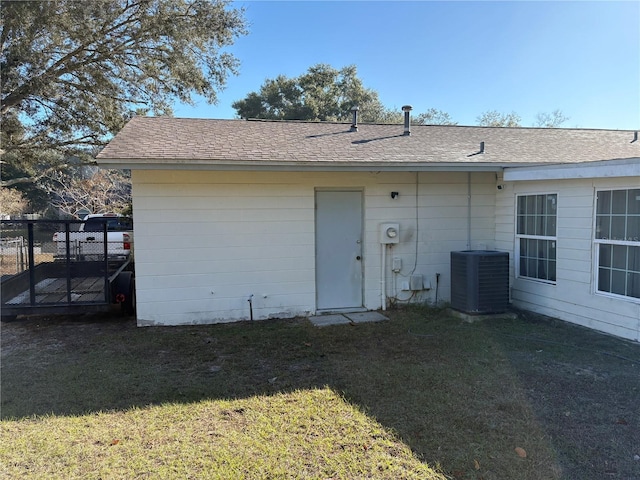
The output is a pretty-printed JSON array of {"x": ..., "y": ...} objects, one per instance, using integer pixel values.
[{"x": 323, "y": 93}]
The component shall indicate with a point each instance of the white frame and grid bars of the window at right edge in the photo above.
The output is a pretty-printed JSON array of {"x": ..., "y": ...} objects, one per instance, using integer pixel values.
[{"x": 597, "y": 242}]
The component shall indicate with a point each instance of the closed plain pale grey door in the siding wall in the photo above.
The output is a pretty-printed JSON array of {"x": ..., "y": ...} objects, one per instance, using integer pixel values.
[{"x": 338, "y": 249}]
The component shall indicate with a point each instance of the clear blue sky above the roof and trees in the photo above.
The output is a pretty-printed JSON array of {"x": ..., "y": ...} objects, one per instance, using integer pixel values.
[{"x": 464, "y": 58}]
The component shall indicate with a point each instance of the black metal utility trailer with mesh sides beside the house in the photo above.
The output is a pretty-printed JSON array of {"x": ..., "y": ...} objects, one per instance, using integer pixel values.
[{"x": 37, "y": 279}]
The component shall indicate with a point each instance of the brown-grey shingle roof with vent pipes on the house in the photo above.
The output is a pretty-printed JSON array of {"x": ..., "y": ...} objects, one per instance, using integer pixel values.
[{"x": 156, "y": 141}]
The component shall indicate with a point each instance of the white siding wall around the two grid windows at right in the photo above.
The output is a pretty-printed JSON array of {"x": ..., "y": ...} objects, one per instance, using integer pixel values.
[{"x": 573, "y": 297}]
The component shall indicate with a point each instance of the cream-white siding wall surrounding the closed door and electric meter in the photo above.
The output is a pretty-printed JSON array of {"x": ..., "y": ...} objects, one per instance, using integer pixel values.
[{"x": 205, "y": 241}]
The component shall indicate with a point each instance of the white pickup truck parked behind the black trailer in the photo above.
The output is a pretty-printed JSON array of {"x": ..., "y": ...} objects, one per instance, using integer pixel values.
[{"x": 88, "y": 242}]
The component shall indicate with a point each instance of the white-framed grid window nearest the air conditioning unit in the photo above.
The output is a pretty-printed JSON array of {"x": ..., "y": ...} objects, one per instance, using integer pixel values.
[{"x": 536, "y": 236}]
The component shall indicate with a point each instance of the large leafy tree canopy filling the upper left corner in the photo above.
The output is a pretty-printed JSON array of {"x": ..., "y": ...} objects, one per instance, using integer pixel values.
[{"x": 73, "y": 72}]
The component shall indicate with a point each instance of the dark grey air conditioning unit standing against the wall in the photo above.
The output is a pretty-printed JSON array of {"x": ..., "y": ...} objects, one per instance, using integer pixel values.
[{"x": 480, "y": 281}]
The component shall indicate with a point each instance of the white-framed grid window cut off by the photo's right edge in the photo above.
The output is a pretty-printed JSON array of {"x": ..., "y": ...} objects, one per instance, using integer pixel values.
[{"x": 617, "y": 238}]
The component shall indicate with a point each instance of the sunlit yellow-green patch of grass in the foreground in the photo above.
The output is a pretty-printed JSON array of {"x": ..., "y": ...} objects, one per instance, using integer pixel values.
[{"x": 303, "y": 434}]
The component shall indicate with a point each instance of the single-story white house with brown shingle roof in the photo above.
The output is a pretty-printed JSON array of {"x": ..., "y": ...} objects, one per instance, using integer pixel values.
[{"x": 239, "y": 219}]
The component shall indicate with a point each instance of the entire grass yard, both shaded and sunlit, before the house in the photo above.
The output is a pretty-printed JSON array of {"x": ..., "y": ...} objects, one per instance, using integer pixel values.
[{"x": 422, "y": 396}]
